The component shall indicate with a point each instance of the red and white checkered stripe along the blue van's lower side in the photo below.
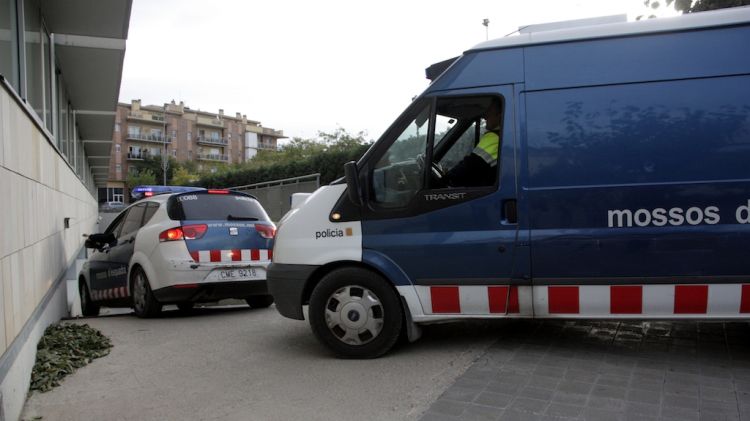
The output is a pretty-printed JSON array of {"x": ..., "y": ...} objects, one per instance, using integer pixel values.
[{"x": 684, "y": 300}]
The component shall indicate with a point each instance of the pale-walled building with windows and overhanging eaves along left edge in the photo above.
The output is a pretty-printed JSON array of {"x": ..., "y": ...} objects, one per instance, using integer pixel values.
[{"x": 60, "y": 70}]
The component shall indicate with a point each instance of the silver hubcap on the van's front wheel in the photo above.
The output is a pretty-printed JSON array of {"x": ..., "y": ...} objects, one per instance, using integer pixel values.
[{"x": 354, "y": 315}]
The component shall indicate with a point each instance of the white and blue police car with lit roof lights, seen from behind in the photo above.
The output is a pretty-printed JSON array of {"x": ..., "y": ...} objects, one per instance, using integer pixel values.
[{"x": 182, "y": 249}]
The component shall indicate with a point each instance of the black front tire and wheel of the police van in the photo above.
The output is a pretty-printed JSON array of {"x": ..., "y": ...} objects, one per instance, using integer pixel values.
[{"x": 371, "y": 325}]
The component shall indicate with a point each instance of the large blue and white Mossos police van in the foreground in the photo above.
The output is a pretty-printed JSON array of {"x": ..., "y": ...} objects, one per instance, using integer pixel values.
[{"x": 620, "y": 189}]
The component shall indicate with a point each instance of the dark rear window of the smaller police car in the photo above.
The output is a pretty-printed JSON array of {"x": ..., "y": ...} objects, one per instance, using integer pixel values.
[{"x": 225, "y": 207}]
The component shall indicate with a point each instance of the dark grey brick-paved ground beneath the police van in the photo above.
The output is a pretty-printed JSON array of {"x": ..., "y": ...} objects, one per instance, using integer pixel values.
[{"x": 606, "y": 371}]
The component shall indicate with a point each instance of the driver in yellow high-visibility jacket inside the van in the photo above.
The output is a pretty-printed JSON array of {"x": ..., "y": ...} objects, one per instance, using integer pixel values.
[{"x": 480, "y": 167}]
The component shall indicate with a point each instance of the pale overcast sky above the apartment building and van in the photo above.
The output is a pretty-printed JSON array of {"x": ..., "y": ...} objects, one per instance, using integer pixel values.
[{"x": 304, "y": 66}]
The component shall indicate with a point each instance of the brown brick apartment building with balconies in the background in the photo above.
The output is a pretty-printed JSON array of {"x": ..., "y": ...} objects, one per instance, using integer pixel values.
[{"x": 208, "y": 139}]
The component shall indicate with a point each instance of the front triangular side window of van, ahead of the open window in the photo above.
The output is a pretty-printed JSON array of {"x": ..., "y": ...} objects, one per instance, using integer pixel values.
[{"x": 398, "y": 174}]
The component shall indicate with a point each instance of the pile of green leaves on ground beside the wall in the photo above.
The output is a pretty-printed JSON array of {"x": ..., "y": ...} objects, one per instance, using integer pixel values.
[{"x": 64, "y": 348}]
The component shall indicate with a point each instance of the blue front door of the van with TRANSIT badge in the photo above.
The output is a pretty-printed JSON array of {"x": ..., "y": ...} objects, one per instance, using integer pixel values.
[{"x": 457, "y": 244}]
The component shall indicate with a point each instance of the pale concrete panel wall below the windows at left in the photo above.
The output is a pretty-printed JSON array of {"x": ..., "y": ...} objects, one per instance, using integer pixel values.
[{"x": 37, "y": 191}]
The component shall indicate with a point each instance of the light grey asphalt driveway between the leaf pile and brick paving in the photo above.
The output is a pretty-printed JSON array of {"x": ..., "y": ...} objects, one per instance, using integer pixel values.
[{"x": 238, "y": 363}]
